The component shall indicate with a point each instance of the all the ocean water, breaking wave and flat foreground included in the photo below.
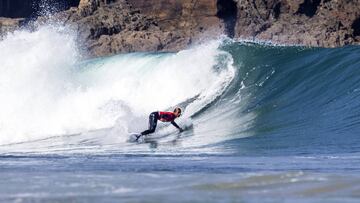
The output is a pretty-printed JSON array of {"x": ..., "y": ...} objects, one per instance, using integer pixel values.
[{"x": 263, "y": 123}]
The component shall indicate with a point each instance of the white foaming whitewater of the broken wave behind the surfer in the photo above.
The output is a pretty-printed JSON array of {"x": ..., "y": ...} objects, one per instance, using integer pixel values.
[{"x": 46, "y": 89}]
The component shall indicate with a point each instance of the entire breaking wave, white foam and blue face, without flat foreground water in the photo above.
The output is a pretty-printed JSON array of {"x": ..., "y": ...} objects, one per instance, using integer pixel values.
[{"x": 281, "y": 98}]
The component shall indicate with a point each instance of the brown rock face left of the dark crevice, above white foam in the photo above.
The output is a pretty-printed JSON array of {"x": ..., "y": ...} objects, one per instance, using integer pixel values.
[{"x": 109, "y": 27}]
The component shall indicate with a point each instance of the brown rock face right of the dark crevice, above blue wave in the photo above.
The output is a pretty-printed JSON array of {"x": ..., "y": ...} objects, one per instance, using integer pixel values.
[{"x": 325, "y": 23}]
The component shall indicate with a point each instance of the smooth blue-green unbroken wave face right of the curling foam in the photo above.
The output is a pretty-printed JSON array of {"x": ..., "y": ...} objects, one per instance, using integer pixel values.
[{"x": 303, "y": 100}]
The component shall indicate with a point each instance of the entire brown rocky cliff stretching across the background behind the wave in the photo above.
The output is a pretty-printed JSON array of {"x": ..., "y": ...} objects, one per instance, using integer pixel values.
[{"x": 111, "y": 26}]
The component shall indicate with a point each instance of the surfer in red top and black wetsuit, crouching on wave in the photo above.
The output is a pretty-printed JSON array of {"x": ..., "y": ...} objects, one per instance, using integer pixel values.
[{"x": 163, "y": 116}]
